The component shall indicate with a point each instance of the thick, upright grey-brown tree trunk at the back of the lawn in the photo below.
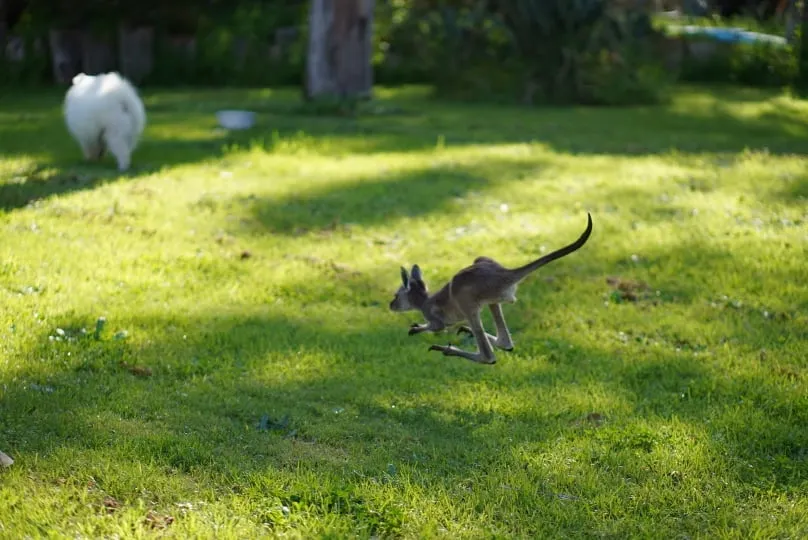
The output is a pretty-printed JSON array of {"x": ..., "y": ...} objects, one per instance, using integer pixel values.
[{"x": 340, "y": 42}]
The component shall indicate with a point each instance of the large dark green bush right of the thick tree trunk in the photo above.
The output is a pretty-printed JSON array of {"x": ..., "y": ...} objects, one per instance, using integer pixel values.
[{"x": 581, "y": 51}]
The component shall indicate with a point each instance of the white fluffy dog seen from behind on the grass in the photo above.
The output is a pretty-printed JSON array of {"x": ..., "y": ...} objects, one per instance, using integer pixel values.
[{"x": 104, "y": 112}]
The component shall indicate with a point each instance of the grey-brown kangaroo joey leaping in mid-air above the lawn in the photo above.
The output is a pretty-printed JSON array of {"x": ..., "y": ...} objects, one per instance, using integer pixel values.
[{"x": 484, "y": 283}]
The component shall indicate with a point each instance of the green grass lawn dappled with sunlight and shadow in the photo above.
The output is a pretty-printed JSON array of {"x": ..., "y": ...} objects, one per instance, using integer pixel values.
[{"x": 250, "y": 379}]
